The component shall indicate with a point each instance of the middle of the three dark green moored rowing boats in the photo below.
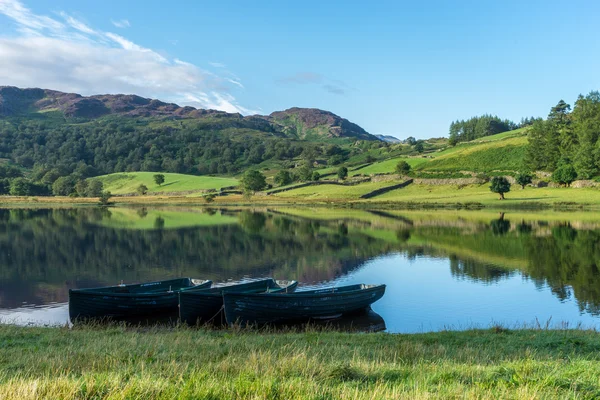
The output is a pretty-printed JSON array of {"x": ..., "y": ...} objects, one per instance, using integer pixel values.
[{"x": 204, "y": 305}]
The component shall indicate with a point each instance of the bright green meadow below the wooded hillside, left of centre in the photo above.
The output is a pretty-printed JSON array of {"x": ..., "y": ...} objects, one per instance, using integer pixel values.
[{"x": 122, "y": 183}]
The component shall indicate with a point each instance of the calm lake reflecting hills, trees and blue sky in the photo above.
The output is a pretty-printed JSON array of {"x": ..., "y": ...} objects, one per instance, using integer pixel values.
[{"x": 443, "y": 269}]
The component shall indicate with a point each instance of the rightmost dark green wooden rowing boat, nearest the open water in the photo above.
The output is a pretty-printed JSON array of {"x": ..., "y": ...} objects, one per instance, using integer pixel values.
[{"x": 263, "y": 308}]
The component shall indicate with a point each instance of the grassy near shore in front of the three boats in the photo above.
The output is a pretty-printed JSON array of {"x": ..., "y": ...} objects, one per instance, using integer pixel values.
[{"x": 155, "y": 363}]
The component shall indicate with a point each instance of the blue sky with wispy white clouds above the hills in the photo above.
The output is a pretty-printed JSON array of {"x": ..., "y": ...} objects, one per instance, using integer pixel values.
[{"x": 397, "y": 68}]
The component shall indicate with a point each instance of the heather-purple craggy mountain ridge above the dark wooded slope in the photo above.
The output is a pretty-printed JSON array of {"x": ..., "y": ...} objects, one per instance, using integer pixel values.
[{"x": 302, "y": 123}]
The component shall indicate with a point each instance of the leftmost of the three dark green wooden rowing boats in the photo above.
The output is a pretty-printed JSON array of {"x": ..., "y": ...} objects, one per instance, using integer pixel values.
[{"x": 130, "y": 301}]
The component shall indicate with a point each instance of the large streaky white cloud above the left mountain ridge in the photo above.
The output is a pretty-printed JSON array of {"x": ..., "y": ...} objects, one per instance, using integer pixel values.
[{"x": 67, "y": 54}]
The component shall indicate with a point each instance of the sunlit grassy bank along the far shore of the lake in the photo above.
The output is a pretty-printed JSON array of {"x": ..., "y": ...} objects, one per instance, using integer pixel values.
[{"x": 412, "y": 196}]
